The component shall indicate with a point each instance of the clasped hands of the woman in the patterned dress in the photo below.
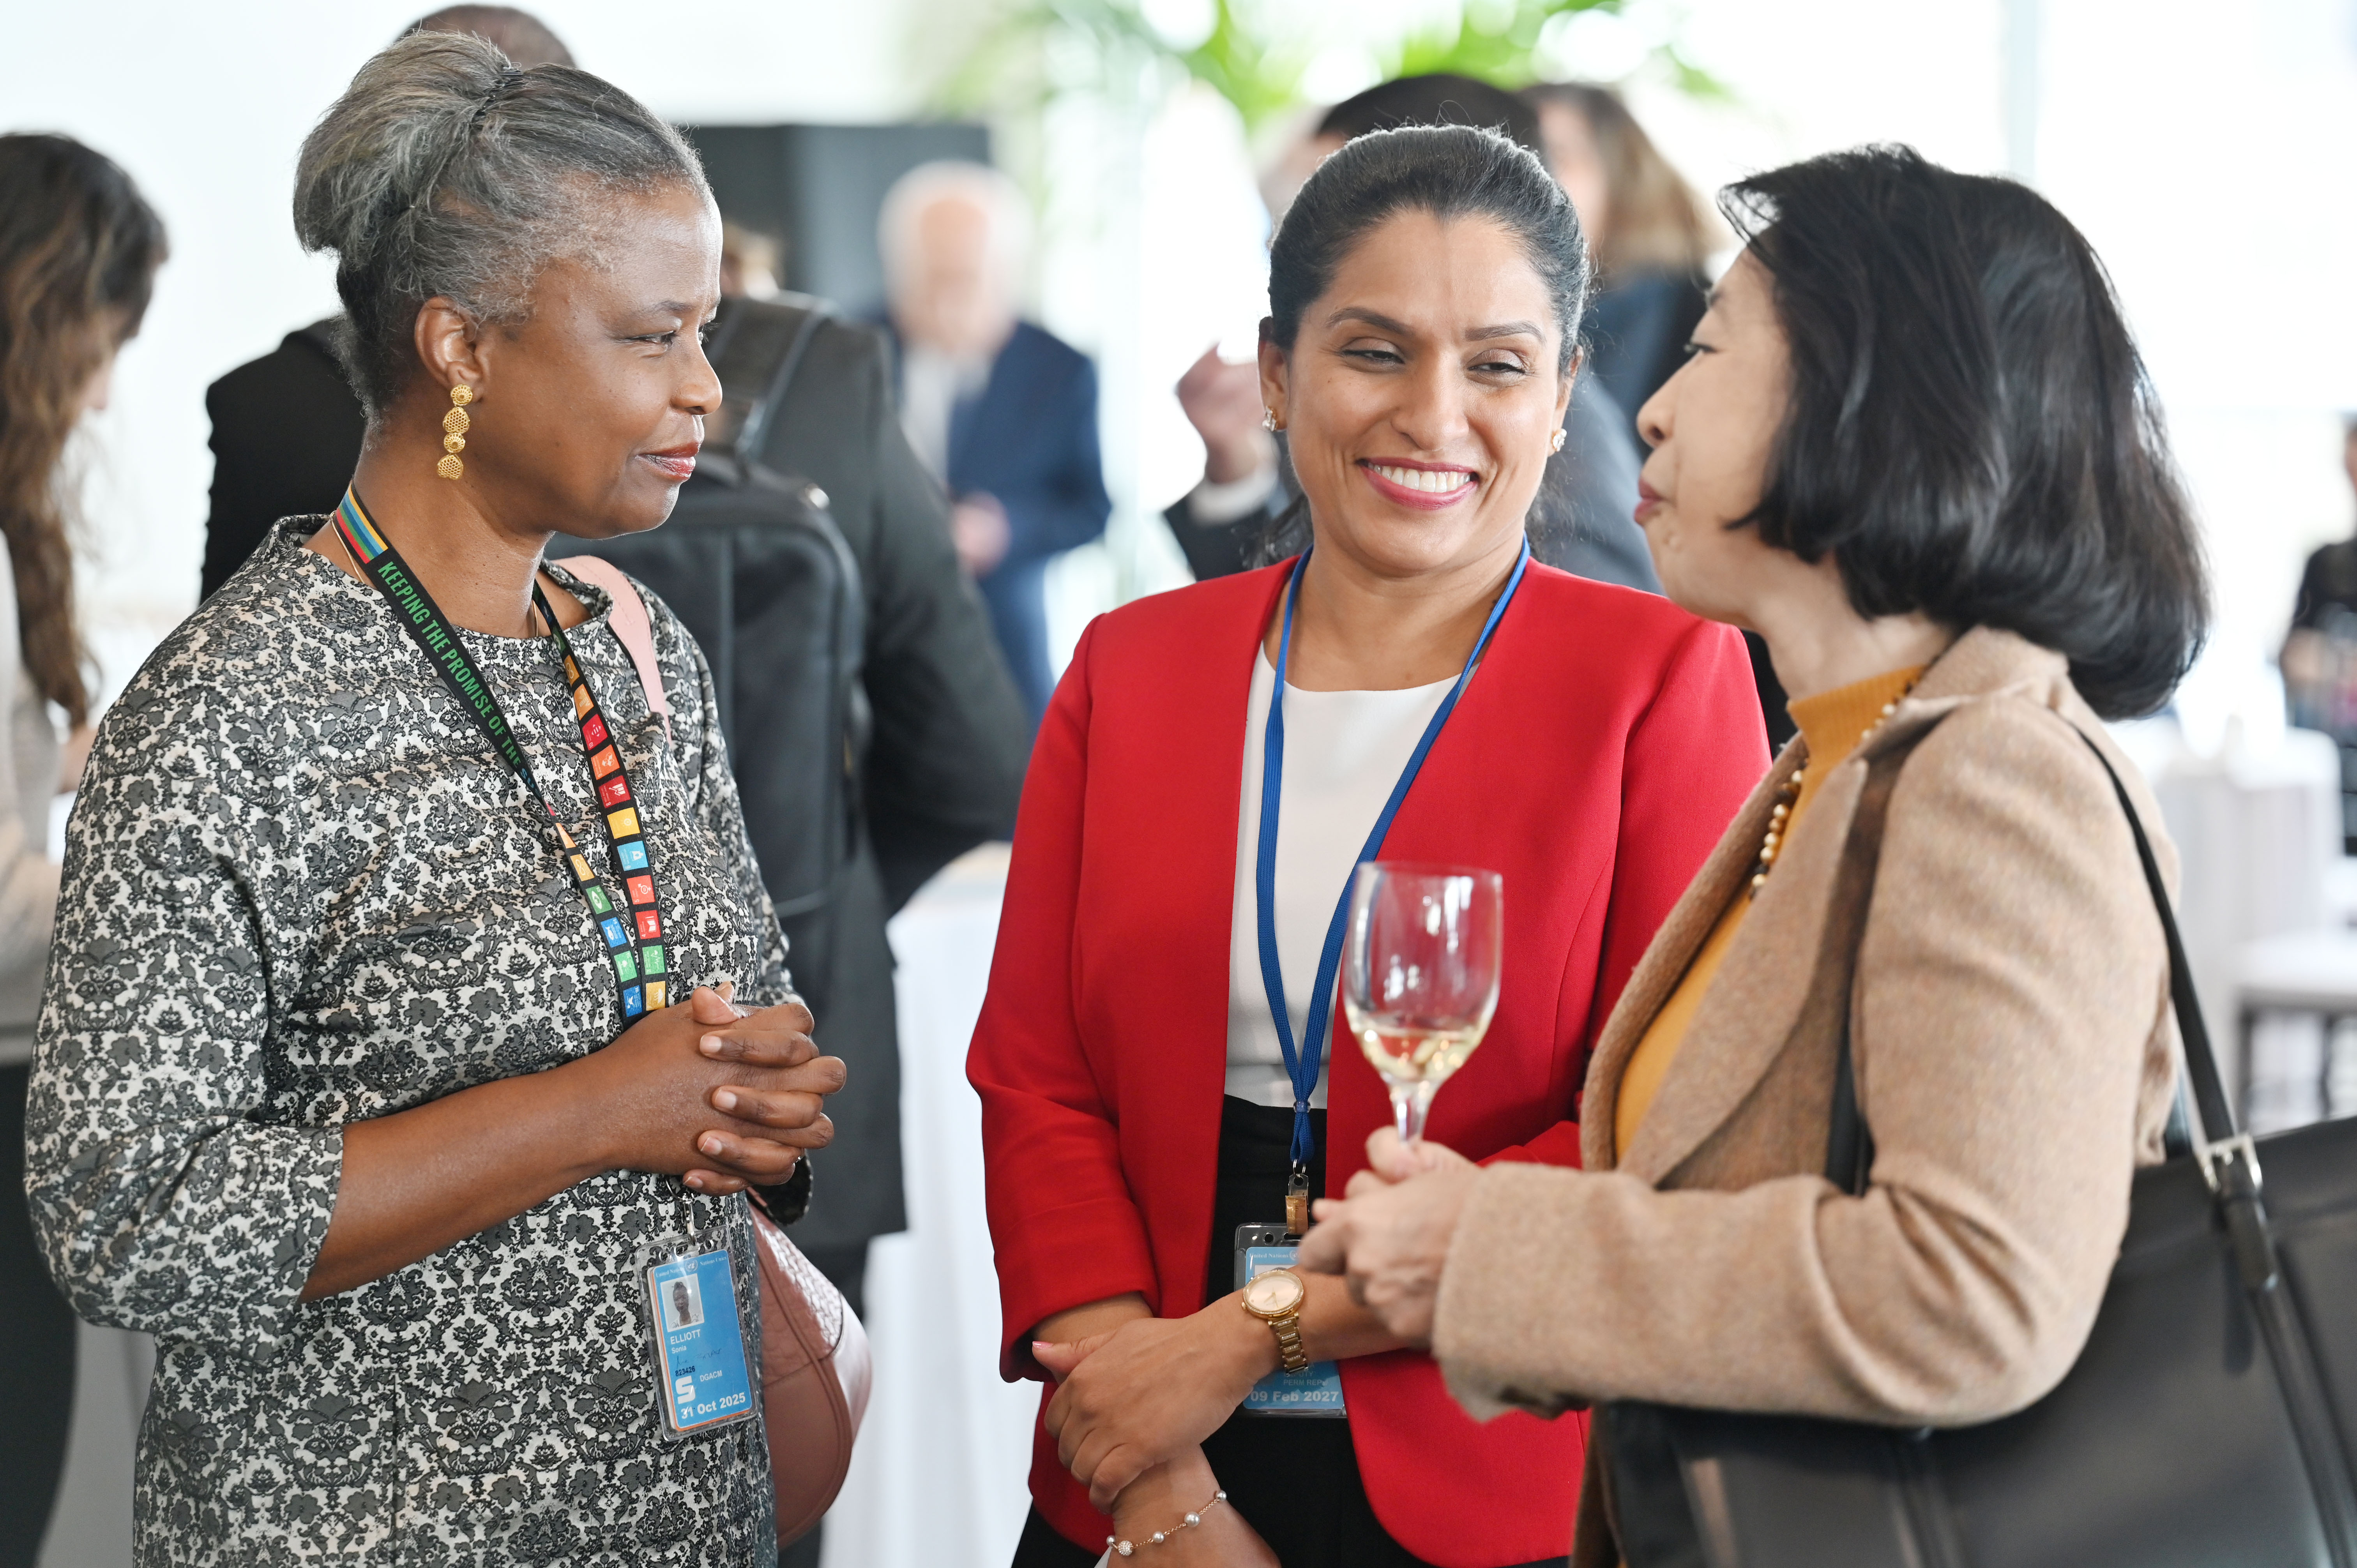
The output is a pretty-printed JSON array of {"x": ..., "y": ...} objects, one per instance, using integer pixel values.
[{"x": 711, "y": 1093}]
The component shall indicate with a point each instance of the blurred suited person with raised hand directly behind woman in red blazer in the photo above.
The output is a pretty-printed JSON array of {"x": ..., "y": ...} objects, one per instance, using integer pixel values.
[{"x": 1583, "y": 520}]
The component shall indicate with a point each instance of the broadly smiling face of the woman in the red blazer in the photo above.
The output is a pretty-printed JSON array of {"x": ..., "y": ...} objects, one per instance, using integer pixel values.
[{"x": 1422, "y": 395}]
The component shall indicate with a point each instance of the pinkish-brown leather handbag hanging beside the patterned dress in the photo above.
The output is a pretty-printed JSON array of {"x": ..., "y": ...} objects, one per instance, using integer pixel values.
[{"x": 814, "y": 1381}]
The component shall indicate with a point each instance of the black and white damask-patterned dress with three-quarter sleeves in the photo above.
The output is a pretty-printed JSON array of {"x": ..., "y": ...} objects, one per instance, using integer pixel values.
[{"x": 301, "y": 890}]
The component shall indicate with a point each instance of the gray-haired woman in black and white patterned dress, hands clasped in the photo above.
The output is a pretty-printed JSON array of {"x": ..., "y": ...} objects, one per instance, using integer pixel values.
[{"x": 357, "y": 1079}]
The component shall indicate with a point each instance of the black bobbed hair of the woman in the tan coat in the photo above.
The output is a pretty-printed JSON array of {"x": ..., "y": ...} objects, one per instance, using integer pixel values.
[{"x": 1972, "y": 433}]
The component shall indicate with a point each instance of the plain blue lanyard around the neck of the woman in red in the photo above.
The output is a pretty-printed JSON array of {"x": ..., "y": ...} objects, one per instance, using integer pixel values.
[{"x": 1300, "y": 1065}]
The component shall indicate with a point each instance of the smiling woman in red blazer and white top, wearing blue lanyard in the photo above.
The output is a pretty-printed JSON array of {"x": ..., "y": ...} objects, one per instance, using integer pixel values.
[{"x": 1425, "y": 308}]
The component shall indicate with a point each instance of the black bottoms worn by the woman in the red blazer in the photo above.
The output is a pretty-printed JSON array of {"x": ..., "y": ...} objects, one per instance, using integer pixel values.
[{"x": 1293, "y": 1480}]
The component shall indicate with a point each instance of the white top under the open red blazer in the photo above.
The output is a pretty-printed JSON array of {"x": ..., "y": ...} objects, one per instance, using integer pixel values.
[{"x": 1342, "y": 756}]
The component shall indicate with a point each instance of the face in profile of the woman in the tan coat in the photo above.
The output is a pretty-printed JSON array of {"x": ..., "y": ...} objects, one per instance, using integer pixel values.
[{"x": 1712, "y": 430}]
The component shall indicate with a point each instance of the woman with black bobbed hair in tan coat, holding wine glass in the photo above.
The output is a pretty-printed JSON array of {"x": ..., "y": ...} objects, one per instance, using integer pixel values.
[{"x": 1917, "y": 454}]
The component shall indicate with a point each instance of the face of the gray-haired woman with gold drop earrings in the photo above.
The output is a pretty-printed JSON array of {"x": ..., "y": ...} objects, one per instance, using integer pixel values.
[{"x": 590, "y": 411}]
